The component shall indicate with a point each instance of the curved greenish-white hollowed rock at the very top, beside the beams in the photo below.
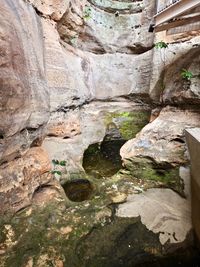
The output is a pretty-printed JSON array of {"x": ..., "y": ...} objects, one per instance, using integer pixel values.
[{"x": 109, "y": 27}]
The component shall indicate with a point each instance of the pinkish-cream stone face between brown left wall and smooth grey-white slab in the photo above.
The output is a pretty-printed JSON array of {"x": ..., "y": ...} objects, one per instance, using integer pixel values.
[{"x": 68, "y": 83}]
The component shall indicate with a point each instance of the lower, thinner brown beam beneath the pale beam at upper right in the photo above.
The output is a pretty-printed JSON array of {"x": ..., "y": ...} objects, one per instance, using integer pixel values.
[{"x": 177, "y": 23}]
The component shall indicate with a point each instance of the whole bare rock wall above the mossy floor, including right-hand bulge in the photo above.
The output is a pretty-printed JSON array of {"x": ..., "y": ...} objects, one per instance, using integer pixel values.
[{"x": 64, "y": 65}]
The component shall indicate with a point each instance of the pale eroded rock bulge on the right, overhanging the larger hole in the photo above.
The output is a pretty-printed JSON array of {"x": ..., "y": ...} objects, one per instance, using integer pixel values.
[{"x": 163, "y": 139}]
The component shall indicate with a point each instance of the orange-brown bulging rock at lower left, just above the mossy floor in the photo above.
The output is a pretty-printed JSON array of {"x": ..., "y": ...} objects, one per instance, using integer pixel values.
[{"x": 19, "y": 179}]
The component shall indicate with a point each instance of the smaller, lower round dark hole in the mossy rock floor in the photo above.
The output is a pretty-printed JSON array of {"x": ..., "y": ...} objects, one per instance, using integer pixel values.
[{"x": 78, "y": 190}]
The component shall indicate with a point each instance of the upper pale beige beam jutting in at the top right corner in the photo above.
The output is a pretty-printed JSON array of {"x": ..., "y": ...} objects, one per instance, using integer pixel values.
[{"x": 175, "y": 10}]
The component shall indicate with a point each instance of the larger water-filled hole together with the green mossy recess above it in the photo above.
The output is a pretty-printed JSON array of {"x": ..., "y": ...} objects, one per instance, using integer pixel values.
[{"x": 101, "y": 160}]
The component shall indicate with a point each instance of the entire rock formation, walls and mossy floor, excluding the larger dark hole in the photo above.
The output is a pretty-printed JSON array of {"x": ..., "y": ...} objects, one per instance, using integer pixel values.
[{"x": 78, "y": 73}]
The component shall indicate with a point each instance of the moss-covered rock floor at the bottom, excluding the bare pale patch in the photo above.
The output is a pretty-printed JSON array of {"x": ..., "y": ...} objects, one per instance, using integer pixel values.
[{"x": 86, "y": 234}]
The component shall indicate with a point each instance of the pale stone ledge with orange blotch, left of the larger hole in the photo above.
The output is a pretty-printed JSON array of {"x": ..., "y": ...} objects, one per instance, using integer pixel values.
[{"x": 90, "y": 120}]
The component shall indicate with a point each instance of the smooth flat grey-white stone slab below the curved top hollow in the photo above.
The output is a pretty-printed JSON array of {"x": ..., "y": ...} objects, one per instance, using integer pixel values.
[{"x": 121, "y": 74}]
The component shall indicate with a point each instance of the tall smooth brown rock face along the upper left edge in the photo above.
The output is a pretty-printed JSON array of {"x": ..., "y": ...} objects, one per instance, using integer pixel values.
[{"x": 24, "y": 102}]
